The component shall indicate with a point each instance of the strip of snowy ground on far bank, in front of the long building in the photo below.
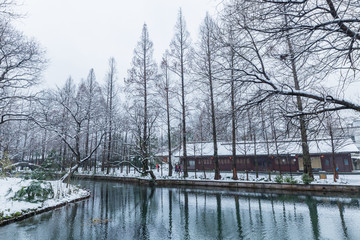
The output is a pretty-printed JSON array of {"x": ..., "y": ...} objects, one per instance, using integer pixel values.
[{"x": 348, "y": 179}]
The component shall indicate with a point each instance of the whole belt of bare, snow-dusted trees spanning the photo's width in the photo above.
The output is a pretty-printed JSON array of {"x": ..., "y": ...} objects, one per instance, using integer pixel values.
[{"x": 258, "y": 71}]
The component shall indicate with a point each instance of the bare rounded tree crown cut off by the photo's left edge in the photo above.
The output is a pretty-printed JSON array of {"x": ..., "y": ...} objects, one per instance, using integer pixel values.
[{"x": 21, "y": 63}]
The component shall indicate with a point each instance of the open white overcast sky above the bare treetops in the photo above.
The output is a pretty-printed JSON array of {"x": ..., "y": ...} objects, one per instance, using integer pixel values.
[{"x": 82, "y": 34}]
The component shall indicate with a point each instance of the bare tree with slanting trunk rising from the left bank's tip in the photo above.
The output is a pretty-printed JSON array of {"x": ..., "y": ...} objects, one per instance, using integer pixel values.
[{"x": 76, "y": 108}]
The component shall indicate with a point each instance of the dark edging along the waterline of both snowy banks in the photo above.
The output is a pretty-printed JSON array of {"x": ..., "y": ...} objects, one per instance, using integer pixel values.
[{"x": 276, "y": 188}]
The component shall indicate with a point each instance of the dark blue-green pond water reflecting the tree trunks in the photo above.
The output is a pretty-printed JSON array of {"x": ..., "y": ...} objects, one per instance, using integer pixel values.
[{"x": 125, "y": 211}]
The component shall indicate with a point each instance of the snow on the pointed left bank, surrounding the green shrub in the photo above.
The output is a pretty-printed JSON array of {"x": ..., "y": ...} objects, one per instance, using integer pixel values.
[{"x": 9, "y": 186}]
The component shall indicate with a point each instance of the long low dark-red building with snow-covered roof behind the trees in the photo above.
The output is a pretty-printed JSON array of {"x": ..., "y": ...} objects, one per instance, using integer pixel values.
[{"x": 285, "y": 155}]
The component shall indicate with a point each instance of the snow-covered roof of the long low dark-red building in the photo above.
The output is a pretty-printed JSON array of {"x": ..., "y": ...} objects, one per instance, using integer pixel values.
[{"x": 269, "y": 148}]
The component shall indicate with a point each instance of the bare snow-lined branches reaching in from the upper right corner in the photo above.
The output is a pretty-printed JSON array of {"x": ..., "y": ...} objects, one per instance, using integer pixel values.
[{"x": 329, "y": 46}]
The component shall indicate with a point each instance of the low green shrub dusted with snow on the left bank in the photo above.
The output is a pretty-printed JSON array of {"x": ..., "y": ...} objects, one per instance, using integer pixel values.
[{"x": 37, "y": 191}]
